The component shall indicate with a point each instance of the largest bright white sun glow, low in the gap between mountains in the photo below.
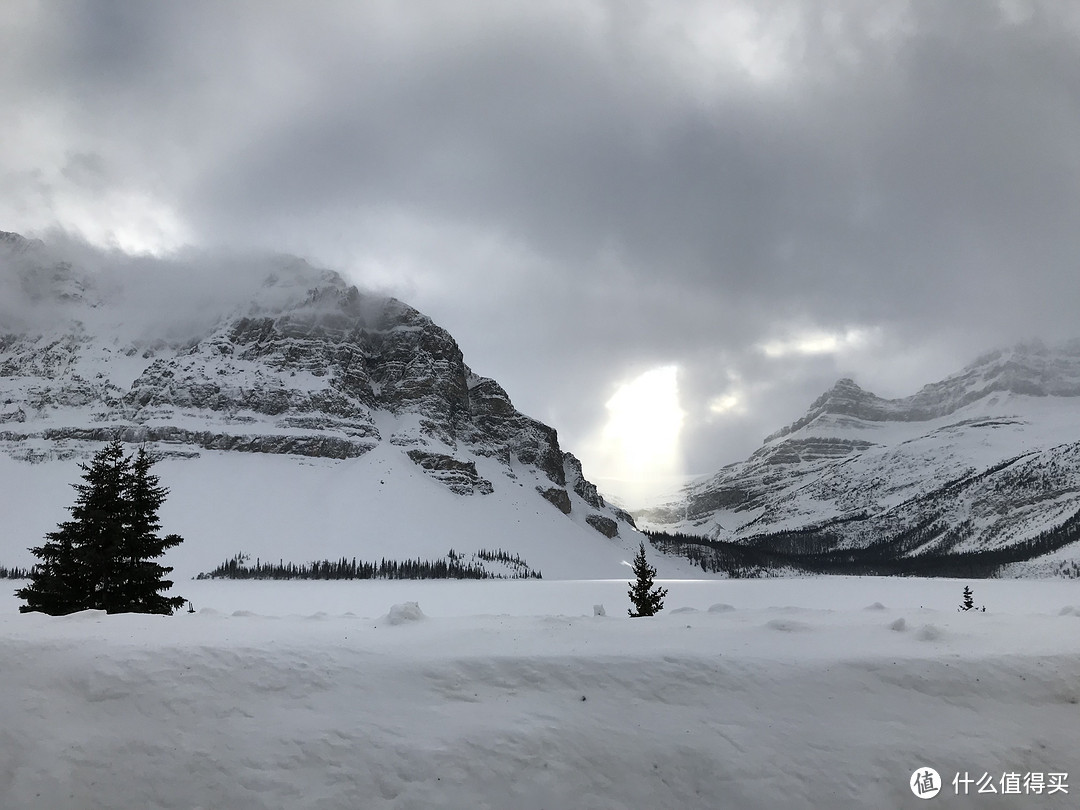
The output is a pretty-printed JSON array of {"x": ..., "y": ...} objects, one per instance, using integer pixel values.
[{"x": 638, "y": 450}]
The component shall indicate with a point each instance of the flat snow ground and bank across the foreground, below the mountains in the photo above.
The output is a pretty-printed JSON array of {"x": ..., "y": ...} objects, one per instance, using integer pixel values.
[{"x": 514, "y": 695}]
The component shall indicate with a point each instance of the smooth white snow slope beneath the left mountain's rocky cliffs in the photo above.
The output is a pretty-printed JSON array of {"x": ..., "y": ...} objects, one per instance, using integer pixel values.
[{"x": 301, "y": 510}]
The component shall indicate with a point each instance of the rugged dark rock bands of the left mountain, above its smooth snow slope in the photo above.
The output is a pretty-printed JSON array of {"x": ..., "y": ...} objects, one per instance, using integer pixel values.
[{"x": 304, "y": 366}]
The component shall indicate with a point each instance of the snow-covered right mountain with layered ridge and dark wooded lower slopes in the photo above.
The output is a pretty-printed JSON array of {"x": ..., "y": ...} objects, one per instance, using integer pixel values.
[{"x": 984, "y": 465}]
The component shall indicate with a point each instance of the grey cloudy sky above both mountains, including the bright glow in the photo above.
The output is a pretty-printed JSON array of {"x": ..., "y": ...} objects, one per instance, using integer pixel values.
[{"x": 665, "y": 227}]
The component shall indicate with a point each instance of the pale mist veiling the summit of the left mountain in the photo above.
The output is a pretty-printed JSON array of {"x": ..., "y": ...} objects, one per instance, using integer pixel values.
[{"x": 181, "y": 298}]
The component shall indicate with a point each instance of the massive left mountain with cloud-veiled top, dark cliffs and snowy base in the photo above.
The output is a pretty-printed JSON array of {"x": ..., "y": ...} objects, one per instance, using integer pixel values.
[{"x": 298, "y": 417}]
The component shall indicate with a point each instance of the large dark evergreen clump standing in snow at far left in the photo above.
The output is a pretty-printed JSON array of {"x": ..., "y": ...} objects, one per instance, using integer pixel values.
[{"x": 103, "y": 558}]
